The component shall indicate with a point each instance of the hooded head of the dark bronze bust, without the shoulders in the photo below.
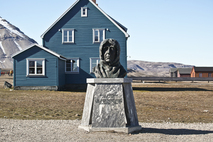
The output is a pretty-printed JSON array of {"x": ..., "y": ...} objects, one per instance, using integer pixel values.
[{"x": 110, "y": 51}]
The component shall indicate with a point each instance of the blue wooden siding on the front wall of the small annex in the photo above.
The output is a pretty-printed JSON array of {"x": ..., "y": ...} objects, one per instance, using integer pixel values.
[{"x": 50, "y": 78}]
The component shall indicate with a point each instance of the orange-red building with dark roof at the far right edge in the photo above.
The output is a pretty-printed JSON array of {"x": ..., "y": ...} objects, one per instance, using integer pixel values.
[{"x": 202, "y": 72}]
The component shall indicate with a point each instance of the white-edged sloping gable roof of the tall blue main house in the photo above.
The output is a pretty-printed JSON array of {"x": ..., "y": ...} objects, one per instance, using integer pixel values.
[{"x": 121, "y": 27}]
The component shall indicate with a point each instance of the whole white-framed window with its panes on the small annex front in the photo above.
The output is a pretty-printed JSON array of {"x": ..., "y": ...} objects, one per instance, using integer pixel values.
[{"x": 36, "y": 67}]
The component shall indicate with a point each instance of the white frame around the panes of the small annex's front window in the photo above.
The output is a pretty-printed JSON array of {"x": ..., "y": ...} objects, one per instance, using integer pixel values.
[{"x": 35, "y": 60}]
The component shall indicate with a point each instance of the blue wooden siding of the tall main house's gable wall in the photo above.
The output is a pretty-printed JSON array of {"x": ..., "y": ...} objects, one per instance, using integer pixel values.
[{"x": 84, "y": 48}]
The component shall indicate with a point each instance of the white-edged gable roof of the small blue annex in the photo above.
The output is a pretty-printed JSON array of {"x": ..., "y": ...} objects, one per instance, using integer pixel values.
[{"x": 43, "y": 48}]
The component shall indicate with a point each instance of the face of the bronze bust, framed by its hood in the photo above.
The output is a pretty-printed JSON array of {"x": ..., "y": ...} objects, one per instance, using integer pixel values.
[{"x": 109, "y": 52}]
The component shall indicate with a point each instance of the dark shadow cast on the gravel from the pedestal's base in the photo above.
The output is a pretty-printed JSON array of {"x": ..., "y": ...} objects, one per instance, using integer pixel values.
[{"x": 173, "y": 131}]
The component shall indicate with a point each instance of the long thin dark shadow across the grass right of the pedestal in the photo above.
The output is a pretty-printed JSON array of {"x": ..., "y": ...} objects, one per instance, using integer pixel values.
[{"x": 168, "y": 89}]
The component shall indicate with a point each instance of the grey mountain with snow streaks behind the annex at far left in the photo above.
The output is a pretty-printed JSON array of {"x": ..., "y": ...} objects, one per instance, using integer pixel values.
[{"x": 12, "y": 40}]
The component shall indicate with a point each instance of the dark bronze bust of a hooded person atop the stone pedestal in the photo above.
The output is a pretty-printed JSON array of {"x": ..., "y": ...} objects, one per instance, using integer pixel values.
[{"x": 109, "y": 66}]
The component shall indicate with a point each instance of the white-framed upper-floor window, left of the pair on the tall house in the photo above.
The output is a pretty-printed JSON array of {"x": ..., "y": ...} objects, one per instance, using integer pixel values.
[{"x": 67, "y": 35}]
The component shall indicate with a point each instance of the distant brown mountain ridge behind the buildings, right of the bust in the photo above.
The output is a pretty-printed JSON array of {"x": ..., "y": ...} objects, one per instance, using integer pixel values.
[{"x": 137, "y": 68}]
